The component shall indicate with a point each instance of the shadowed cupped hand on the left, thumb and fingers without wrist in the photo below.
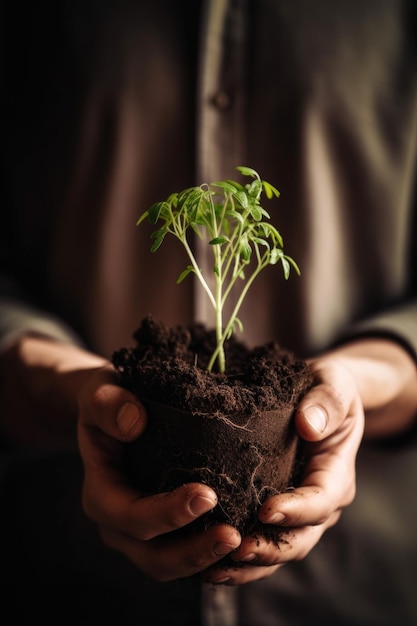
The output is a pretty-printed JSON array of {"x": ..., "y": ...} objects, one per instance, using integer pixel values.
[{"x": 142, "y": 528}]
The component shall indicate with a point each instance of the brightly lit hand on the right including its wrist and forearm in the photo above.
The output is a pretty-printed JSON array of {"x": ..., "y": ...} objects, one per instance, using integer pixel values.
[{"x": 376, "y": 375}]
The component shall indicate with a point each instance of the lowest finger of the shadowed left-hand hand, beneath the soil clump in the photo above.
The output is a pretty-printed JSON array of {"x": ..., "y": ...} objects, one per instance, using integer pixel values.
[{"x": 170, "y": 557}]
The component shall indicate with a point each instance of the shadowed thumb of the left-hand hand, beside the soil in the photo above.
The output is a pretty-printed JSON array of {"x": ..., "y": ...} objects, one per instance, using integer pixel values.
[{"x": 104, "y": 404}]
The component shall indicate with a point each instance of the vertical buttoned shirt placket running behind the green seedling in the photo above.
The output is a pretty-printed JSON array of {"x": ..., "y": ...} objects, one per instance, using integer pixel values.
[{"x": 220, "y": 148}]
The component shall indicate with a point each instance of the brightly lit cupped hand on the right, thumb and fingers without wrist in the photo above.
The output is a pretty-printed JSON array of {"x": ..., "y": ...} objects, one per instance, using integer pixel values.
[{"x": 330, "y": 420}]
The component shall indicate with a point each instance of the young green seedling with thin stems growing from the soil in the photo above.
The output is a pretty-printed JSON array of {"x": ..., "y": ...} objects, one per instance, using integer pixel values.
[{"x": 241, "y": 237}]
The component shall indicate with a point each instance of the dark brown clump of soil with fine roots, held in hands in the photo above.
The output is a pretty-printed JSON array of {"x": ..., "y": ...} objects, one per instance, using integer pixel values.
[{"x": 231, "y": 431}]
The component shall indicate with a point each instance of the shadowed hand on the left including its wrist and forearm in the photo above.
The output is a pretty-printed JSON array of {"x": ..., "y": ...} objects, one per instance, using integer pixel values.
[{"x": 51, "y": 390}]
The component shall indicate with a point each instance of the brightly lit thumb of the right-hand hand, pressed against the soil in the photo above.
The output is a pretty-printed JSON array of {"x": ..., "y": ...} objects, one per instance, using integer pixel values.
[{"x": 326, "y": 405}]
